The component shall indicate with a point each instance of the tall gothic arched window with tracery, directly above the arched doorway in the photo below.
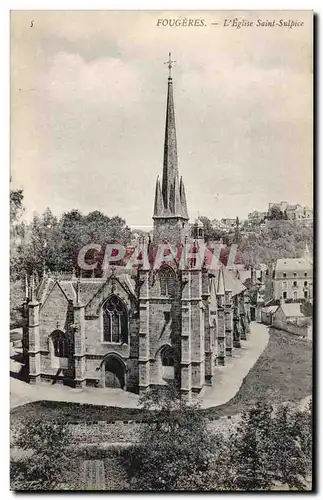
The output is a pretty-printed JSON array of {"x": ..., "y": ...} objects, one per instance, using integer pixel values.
[{"x": 115, "y": 321}]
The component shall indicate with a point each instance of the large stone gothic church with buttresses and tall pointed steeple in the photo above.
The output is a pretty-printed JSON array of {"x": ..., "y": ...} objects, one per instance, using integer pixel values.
[{"x": 139, "y": 328}]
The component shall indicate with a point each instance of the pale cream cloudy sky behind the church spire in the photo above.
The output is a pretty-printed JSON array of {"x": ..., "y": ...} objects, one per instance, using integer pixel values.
[{"x": 88, "y": 98}]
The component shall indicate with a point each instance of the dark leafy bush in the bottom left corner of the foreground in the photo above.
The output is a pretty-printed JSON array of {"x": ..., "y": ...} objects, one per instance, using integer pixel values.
[{"x": 46, "y": 444}]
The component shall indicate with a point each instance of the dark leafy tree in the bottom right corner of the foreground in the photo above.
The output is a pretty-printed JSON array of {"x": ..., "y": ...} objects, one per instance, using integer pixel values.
[{"x": 272, "y": 447}]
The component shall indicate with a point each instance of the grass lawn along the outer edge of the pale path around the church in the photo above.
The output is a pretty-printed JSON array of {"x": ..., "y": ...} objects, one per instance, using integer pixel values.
[{"x": 282, "y": 373}]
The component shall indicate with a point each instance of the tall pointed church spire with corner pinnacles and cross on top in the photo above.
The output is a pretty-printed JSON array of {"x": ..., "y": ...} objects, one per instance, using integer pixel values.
[{"x": 172, "y": 190}]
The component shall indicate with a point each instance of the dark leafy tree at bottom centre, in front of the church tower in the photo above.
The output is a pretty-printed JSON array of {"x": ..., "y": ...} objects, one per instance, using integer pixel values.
[{"x": 176, "y": 451}]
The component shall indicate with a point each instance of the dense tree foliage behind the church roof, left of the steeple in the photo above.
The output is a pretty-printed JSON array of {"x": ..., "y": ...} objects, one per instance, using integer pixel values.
[{"x": 53, "y": 243}]
